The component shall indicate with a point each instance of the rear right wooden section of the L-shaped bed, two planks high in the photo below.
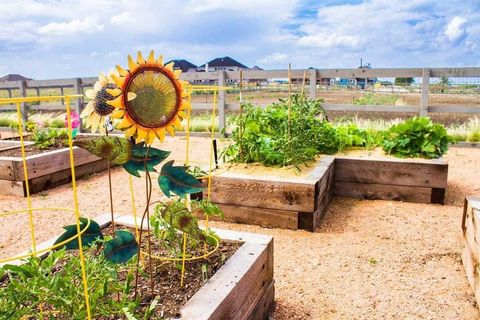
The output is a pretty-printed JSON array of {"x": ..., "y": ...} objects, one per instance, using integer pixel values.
[{"x": 412, "y": 180}]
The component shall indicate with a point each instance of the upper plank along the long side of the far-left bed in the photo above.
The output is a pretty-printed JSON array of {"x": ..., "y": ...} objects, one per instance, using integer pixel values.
[{"x": 49, "y": 162}]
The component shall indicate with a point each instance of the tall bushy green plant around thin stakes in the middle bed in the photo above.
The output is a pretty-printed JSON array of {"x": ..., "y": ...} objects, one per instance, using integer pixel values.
[{"x": 263, "y": 135}]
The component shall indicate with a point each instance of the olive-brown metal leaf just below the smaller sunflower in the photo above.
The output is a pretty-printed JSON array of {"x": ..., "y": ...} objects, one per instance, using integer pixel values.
[{"x": 116, "y": 150}]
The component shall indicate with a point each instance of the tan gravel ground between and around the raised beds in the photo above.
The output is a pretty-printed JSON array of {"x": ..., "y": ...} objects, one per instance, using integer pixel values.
[{"x": 368, "y": 260}]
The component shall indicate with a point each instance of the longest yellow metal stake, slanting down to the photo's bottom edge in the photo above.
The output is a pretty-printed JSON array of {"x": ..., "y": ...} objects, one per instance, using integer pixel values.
[{"x": 77, "y": 214}]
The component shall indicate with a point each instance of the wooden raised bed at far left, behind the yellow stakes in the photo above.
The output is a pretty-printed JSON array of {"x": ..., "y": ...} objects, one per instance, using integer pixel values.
[{"x": 46, "y": 170}]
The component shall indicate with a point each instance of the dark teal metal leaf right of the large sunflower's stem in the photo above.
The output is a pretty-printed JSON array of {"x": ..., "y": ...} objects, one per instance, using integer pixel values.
[{"x": 176, "y": 180}]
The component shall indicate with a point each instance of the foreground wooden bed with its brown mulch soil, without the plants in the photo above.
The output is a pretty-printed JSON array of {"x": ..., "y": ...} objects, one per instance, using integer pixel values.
[{"x": 238, "y": 283}]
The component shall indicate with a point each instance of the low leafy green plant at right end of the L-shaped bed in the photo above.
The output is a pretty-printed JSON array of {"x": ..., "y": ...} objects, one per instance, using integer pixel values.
[{"x": 417, "y": 137}]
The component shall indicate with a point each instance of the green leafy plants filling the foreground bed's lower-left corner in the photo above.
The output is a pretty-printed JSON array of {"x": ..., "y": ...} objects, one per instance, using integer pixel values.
[{"x": 53, "y": 285}]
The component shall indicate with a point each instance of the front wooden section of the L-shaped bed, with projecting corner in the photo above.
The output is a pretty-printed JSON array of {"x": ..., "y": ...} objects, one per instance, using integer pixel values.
[{"x": 292, "y": 203}]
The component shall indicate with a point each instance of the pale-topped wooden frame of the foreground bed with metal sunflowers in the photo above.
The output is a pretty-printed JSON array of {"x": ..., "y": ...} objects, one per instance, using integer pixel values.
[{"x": 243, "y": 288}]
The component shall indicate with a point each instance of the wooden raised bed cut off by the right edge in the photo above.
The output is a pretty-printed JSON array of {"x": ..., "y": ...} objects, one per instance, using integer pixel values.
[{"x": 471, "y": 243}]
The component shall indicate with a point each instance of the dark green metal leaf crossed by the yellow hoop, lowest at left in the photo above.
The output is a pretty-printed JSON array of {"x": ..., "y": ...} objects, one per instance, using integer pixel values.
[{"x": 92, "y": 233}]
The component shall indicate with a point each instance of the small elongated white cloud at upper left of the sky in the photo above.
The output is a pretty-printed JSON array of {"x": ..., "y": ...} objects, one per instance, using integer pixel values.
[{"x": 87, "y": 25}]
